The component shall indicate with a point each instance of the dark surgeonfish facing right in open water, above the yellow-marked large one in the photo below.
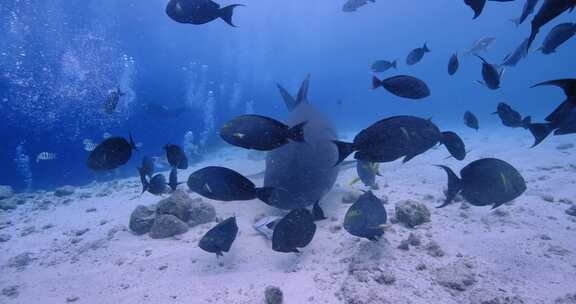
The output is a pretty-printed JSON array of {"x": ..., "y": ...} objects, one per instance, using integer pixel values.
[{"x": 403, "y": 86}]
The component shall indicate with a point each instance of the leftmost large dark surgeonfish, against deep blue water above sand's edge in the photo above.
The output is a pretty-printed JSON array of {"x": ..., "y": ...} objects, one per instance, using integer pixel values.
[{"x": 111, "y": 154}]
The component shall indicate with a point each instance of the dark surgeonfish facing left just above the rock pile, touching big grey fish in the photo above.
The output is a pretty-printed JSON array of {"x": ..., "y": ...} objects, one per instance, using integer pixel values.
[{"x": 223, "y": 184}]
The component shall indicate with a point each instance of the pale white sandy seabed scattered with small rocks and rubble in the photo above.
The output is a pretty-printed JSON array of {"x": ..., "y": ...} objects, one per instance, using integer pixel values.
[{"x": 526, "y": 249}]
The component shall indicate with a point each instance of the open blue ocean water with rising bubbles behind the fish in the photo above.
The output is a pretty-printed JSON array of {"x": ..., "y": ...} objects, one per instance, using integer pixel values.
[{"x": 59, "y": 59}]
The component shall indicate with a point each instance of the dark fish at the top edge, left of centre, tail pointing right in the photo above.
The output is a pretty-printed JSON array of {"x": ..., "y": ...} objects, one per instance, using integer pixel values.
[{"x": 199, "y": 11}]
